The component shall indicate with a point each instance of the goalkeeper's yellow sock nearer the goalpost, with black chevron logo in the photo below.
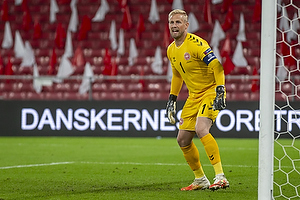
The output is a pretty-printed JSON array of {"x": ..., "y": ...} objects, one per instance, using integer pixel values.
[{"x": 212, "y": 151}]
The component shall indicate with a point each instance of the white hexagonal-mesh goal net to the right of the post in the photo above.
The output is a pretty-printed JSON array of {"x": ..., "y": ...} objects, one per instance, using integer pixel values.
[{"x": 286, "y": 170}]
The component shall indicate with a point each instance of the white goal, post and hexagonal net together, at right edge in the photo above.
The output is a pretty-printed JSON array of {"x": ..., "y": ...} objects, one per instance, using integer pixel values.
[{"x": 279, "y": 136}]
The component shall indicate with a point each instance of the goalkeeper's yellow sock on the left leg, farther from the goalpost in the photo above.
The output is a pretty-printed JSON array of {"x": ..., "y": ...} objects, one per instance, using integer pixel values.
[{"x": 191, "y": 155}]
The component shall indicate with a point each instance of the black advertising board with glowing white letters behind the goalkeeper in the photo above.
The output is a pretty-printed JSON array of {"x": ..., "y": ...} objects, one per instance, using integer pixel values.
[{"x": 128, "y": 119}]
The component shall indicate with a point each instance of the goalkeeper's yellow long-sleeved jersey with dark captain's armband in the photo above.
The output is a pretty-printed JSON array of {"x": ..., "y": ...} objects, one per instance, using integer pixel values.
[{"x": 194, "y": 63}]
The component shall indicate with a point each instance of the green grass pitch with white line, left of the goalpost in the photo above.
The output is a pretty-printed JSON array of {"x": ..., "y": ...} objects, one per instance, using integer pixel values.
[{"x": 118, "y": 168}]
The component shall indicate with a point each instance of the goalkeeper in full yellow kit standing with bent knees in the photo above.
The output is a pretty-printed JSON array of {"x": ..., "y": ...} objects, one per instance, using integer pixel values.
[{"x": 194, "y": 62}]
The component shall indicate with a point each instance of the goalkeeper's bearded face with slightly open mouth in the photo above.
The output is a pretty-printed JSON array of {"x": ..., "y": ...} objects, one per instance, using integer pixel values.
[{"x": 177, "y": 26}]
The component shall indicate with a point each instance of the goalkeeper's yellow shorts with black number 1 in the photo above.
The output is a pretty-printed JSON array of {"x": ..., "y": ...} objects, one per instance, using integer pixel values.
[{"x": 197, "y": 107}]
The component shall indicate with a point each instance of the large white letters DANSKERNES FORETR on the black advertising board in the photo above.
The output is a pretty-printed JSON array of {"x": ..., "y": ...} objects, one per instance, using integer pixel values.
[{"x": 124, "y": 119}]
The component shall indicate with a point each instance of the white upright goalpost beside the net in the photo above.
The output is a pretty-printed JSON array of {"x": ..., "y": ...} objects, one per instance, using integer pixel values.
[{"x": 267, "y": 100}]
